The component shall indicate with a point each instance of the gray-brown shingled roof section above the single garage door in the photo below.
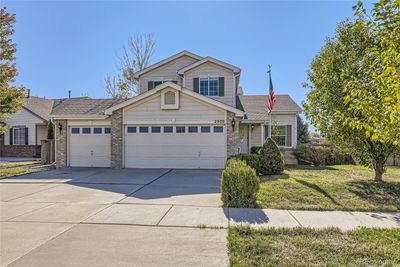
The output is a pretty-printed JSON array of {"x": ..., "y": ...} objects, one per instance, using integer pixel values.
[{"x": 83, "y": 106}]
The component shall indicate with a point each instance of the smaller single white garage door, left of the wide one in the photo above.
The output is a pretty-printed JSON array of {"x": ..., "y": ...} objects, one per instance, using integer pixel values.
[{"x": 89, "y": 146}]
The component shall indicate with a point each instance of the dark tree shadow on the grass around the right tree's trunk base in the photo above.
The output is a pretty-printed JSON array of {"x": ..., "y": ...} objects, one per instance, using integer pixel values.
[{"x": 383, "y": 193}]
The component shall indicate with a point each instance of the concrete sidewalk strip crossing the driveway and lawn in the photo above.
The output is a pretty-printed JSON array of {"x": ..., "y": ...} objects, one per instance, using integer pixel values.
[{"x": 173, "y": 215}]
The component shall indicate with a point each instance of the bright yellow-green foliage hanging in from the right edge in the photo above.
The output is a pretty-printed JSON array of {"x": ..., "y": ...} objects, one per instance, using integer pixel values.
[{"x": 374, "y": 99}]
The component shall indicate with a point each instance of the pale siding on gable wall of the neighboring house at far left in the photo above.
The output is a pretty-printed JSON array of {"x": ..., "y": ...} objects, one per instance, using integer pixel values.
[{"x": 26, "y": 119}]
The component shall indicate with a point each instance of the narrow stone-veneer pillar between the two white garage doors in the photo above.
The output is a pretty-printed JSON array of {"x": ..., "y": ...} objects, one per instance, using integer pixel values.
[{"x": 116, "y": 139}]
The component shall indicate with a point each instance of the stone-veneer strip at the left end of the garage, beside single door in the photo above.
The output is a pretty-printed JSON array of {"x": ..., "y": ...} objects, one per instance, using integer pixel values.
[{"x": 61, "y": 143}]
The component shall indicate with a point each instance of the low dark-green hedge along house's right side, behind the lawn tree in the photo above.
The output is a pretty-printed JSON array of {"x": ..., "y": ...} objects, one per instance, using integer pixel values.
[{"x": 322, "y": 155}]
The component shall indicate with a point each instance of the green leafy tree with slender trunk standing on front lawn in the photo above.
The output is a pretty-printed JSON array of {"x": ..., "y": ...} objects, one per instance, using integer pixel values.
[{"x": 337, "y": 64}]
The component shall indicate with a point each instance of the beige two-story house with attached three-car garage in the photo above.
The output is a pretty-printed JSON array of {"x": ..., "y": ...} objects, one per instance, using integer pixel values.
[{"x": 190, "y": 113}]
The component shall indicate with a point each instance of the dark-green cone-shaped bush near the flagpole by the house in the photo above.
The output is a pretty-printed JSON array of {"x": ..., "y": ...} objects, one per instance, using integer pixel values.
[{"x": 270, "y": 158}]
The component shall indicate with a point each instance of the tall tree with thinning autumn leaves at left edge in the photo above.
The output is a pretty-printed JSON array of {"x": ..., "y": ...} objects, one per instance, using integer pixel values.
[{"x": 11, "y": 97}]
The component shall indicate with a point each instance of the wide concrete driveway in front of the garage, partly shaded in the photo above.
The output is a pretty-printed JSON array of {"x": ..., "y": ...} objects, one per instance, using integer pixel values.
[{"x": 103, "y": 217}]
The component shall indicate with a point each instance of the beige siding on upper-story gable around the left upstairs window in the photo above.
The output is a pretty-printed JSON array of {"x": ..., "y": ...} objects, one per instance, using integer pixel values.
[{"x": 165, "y": 72}]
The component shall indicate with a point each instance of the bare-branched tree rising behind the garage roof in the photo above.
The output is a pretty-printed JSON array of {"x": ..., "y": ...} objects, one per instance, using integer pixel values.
[{"x": 135, "y": 57}]
